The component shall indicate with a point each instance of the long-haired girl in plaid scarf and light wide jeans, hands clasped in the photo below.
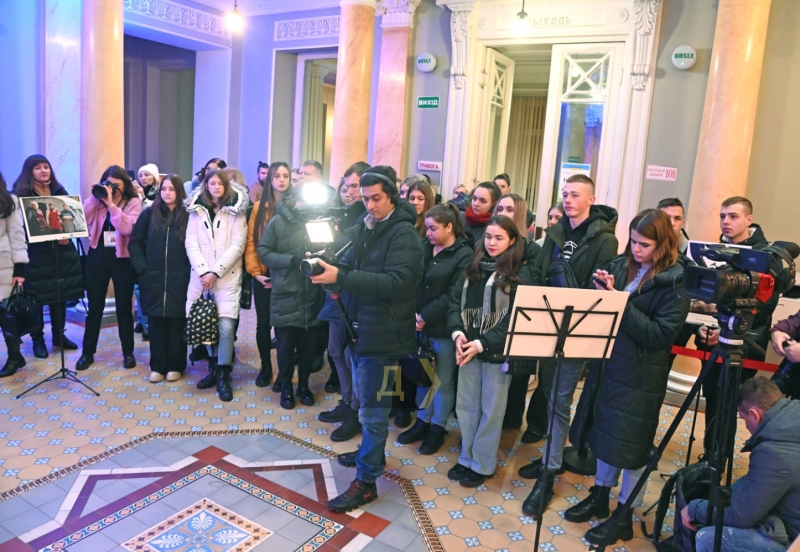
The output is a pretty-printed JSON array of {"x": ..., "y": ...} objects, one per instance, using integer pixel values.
[{"x": 479, "y": 314}]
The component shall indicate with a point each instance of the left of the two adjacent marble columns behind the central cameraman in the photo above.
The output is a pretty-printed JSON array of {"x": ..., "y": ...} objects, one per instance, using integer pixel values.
[{"x": 353, "y": 85}]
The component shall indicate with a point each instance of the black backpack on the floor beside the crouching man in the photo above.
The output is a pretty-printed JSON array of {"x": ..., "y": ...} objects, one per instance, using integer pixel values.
[{"x": 687, "y": 484}]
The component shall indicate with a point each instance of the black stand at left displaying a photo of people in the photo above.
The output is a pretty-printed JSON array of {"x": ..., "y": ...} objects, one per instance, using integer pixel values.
[{"x": 36, "y": 234}]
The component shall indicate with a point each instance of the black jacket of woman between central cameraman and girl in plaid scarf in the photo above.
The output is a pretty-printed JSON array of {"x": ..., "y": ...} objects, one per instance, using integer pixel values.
[{"x": 440, "y": 274}]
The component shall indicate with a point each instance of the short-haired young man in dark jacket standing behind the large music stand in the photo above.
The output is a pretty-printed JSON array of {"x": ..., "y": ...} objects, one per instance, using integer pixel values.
[{"x": 584, "y": 238}]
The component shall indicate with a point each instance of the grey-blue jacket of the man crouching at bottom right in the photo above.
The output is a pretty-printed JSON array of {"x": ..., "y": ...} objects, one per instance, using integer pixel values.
[{"x": 771, "y": 488}]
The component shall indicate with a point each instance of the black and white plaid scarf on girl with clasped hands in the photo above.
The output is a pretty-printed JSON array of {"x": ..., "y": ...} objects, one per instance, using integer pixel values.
[{"x": 494, "y": 302}]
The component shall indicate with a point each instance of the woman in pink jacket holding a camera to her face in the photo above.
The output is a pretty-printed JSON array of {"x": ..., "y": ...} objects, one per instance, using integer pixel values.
[{"x": 111, "y": 212}]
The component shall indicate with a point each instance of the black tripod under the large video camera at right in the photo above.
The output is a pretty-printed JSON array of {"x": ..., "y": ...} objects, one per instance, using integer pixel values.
[{"x": 720, "y": 457}]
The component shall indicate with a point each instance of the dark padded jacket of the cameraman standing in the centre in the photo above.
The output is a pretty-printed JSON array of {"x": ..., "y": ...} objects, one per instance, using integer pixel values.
[{"x": 380, "y": 289}]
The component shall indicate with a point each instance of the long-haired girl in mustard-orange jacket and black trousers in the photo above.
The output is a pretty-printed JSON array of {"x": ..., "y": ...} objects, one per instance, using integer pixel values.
[{"x": 277, "y": 183}]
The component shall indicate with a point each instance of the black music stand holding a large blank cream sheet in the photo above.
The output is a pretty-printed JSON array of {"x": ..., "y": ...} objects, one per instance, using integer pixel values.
[{"x": 562, "y": 323}]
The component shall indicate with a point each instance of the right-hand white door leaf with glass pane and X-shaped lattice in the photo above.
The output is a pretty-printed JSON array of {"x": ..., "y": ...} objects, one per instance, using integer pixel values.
[{"x": 582, "y": 130}]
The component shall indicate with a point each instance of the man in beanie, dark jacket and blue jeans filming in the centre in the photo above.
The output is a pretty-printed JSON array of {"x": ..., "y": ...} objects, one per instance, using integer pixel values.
[{"x": 380, "y": 291}]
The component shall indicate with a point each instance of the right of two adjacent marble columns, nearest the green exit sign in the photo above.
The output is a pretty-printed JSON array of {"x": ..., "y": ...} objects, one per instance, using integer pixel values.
[{"x": 397, "y": 22}]
